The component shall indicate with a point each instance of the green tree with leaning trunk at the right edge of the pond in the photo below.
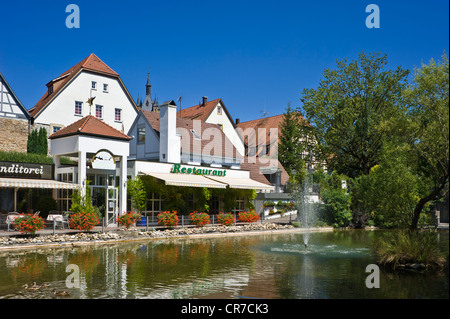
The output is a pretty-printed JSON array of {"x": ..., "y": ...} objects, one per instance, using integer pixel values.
[{"x": 428, "y": 132}]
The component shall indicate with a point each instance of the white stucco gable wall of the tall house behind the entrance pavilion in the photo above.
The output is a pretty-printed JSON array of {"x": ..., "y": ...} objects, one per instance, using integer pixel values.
[{"x": 61, "y": 111}]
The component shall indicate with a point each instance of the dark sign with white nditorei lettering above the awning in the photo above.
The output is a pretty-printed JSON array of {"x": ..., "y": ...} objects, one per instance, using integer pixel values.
[{"x": 26, "y": 170}]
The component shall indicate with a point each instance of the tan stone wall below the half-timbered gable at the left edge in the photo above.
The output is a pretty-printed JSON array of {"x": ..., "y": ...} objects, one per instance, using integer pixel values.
[{"x": 13, "y": 134}]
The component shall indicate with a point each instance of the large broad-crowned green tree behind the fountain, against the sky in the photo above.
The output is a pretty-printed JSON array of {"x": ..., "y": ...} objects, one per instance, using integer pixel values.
[{"x": 348, "y": 109}]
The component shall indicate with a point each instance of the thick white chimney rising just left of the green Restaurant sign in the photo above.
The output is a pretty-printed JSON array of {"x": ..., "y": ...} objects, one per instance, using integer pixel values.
[{"x": 169, "y": 141}]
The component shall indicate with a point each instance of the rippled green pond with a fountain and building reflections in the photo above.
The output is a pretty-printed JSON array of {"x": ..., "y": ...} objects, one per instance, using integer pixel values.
[{"x": 275, "y": 266}]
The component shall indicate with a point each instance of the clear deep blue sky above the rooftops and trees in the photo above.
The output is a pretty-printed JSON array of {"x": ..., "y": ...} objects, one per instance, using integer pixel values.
[{"x": 252, "y": 54}]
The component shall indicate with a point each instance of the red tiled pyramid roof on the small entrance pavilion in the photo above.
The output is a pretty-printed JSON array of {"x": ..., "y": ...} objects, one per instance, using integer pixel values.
[{"x": 90, "y": 125}]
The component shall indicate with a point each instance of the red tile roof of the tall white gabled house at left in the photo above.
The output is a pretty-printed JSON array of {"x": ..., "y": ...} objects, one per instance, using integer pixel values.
[{"x": 91, "y": 63}]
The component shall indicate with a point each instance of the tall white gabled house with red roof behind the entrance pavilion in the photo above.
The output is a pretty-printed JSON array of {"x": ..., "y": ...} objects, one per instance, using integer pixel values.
[{"x": 67, "y": 96}]
